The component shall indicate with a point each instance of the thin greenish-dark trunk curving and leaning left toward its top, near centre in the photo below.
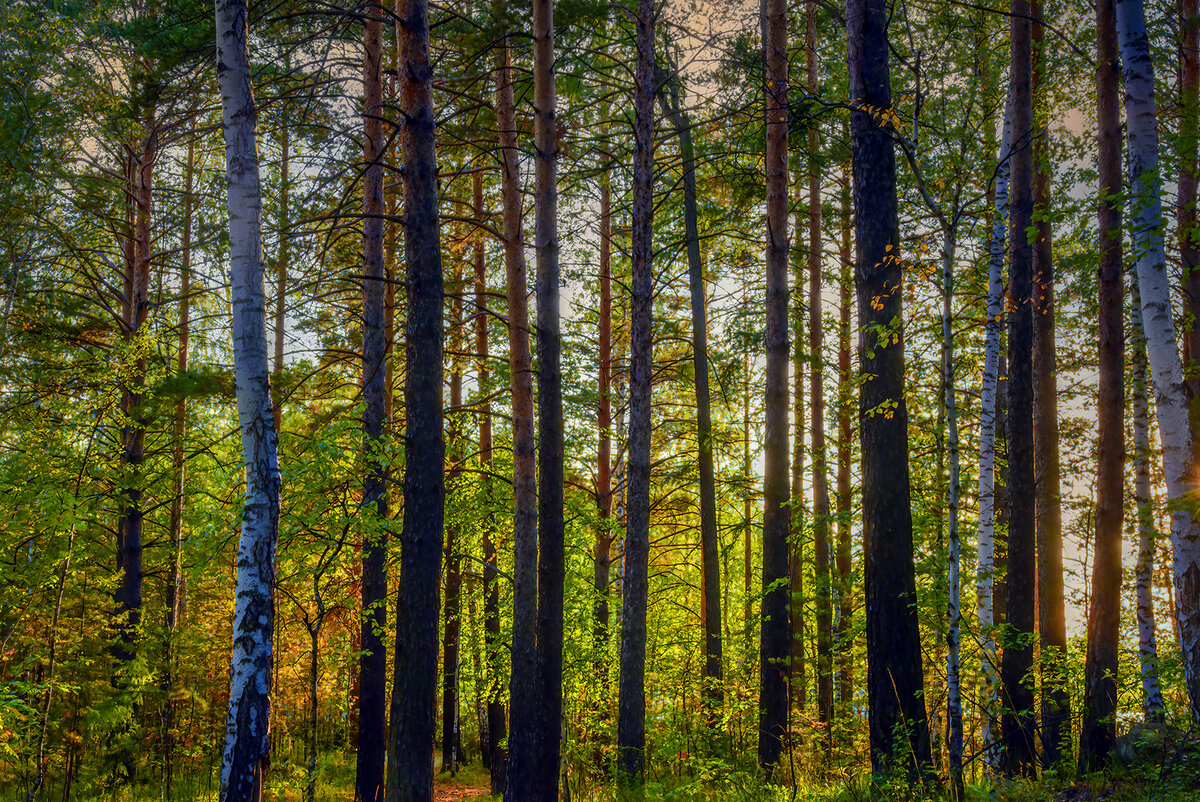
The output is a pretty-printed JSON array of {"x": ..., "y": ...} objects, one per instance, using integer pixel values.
[{"x": 710, "y": 546}]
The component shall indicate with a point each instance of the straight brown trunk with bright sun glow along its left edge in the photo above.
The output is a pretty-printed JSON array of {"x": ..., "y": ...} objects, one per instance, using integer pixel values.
[{"x": 776, "y": 638}]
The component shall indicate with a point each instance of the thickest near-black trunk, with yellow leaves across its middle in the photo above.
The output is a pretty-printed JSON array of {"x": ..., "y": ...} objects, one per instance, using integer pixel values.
[{"x": 895, "y": 681}]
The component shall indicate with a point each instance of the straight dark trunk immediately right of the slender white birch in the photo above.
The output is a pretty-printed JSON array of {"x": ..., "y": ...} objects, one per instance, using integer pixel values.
[{"x": 1018, "y": 725}]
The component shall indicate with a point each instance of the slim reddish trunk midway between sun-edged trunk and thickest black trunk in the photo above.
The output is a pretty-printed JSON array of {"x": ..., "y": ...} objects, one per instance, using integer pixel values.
[{"x": 817, "y": 396}]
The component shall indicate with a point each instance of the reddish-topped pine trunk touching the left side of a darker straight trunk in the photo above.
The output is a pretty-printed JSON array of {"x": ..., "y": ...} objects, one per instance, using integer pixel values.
[{"x": 524, "y": 689}]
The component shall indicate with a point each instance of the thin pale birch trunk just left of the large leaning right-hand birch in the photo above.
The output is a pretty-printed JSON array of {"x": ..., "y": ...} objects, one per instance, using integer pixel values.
[{"x": 1148, "y": 648}]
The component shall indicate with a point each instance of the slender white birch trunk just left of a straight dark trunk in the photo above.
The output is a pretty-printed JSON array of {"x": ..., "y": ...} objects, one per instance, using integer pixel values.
[{"x": 987, "y": 531}]
